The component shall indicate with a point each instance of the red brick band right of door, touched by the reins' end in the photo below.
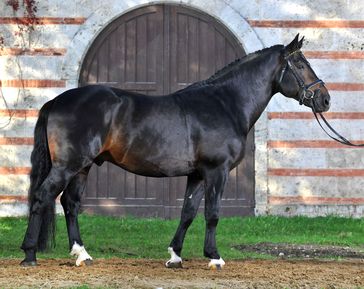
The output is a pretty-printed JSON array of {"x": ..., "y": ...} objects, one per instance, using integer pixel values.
[{"x": 310, "y": 144}]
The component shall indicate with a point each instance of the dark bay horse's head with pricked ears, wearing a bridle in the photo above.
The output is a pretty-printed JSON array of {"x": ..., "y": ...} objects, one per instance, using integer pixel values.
[{"x": 298, "y": 80}]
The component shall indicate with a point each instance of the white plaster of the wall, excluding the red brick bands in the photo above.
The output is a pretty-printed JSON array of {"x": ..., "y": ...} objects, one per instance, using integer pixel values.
[{"x": 235, "y": 15}]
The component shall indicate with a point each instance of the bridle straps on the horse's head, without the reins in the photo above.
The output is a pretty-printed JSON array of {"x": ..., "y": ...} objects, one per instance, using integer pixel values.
[{"x": 306, "y": 91}]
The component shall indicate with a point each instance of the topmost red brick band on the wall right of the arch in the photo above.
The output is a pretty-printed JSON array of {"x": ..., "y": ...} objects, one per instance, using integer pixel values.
[{"x": 307, "y": 23}]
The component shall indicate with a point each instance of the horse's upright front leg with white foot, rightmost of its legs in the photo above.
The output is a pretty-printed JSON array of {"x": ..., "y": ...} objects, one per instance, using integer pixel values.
[{"x": 215, "y": 183}]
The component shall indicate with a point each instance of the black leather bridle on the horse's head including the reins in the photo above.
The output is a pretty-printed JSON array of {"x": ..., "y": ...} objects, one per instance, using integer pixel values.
[{"x": 306, "y": 93}]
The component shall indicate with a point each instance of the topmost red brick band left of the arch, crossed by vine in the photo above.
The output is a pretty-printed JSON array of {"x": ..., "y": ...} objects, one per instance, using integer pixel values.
[{"x": 44, "y": 20}]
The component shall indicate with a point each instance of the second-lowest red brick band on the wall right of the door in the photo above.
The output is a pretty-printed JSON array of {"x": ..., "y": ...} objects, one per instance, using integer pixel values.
[{"x": 292, "y": 172}]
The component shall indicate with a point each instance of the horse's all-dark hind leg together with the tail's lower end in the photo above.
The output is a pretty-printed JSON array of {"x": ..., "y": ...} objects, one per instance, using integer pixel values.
[{"x": 41, "y": 218}]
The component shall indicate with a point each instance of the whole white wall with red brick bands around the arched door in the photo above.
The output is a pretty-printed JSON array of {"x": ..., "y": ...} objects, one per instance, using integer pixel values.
[{"x": 298, "y": 169}]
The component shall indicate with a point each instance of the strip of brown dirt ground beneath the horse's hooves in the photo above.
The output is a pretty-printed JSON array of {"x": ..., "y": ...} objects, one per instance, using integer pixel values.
[{"x": 132, "y": 273}]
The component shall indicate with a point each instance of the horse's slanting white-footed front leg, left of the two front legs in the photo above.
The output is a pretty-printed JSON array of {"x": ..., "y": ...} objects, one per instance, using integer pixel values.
[{"x": 193, "y": 196}]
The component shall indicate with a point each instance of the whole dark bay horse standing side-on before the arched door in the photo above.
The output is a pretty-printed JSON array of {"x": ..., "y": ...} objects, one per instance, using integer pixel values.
[{"x": 198, "y": 132}]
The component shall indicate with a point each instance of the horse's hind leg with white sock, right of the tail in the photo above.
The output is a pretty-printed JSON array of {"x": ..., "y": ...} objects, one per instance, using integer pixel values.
[{"x": 71, "y": 201}]
